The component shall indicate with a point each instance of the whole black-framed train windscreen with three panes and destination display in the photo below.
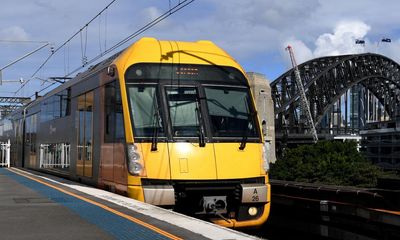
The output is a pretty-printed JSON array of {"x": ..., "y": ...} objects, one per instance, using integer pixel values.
[{"x": 194, "y": 101}]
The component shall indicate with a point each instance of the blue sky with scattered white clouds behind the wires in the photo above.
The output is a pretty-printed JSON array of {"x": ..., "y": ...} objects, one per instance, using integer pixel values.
[{"x": 254, "y": 32}]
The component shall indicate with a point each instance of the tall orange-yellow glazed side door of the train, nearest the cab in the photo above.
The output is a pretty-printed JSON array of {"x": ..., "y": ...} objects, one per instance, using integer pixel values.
[{"x": 84, "y": 163}]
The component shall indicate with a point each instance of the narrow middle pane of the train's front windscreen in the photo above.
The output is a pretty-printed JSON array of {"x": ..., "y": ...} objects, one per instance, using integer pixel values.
[{"x": 182, "y": 103}]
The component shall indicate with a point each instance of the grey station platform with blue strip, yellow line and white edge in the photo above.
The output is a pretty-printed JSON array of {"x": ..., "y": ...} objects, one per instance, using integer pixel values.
[{"x": 38, "y": 206}]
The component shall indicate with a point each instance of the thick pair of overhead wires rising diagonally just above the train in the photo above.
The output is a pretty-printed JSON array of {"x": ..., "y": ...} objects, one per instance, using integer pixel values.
[{"x": 146, "y": 27}]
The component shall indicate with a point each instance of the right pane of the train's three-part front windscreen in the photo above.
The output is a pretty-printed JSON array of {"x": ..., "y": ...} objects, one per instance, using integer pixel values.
[{"x": 229, "y": 112}]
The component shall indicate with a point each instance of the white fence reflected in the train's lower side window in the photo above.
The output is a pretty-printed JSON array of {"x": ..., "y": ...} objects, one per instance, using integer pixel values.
[{"x": 55, "y": 155}]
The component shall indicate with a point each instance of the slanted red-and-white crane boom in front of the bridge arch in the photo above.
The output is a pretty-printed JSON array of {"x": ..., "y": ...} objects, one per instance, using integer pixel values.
[{"x": 304, "y": 105}]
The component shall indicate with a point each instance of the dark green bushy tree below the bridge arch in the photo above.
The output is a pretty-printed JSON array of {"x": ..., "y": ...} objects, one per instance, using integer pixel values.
[{"x": 327, "y": 162}]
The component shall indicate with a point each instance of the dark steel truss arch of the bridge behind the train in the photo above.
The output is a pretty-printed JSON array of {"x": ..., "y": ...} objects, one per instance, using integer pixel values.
[{"x": 326, "y": 80}]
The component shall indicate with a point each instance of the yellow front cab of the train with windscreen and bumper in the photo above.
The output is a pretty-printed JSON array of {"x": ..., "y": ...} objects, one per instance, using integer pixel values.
[{"x": 193, "y": 137}]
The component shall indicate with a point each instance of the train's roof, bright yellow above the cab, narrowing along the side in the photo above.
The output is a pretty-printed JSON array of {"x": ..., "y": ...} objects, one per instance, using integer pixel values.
[{"x": 149, "y": 50}]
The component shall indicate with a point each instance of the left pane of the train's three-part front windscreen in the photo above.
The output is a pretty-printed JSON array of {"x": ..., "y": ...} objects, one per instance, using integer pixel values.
[{"x": 144, "y": 110}]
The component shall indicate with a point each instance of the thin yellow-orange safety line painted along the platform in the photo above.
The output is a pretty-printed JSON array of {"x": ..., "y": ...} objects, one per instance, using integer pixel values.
[{"x": 135, "y": 220}]
